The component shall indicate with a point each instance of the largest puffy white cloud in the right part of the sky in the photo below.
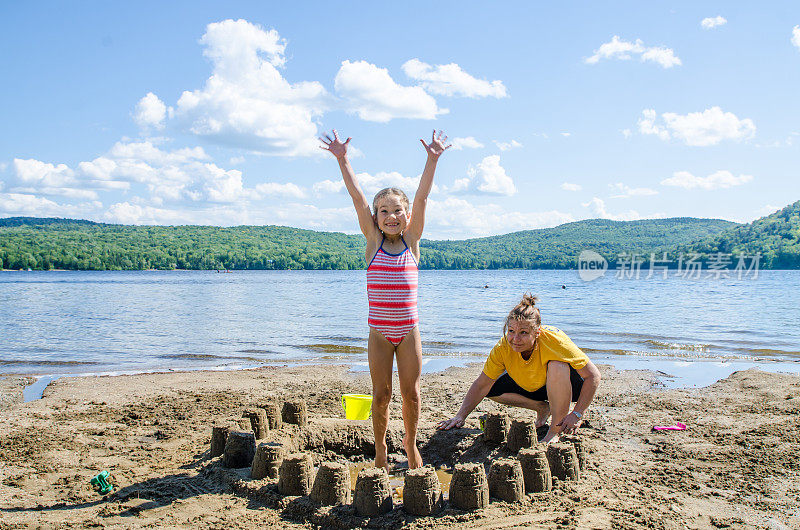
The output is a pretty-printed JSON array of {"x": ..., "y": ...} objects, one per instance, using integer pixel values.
[{"x": 709, "y": 127}]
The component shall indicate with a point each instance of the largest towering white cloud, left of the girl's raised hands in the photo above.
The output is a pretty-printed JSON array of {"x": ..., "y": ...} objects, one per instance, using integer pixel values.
[{"x": 246, "y": 102}]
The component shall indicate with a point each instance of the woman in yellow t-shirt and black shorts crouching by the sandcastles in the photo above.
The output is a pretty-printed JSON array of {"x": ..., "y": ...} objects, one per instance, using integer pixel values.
[{"x": 535, "y": 367}]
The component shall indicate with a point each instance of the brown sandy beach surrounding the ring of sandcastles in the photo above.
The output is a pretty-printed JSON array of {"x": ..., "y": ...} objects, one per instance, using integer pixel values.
[{"x": 736, "y": 465}]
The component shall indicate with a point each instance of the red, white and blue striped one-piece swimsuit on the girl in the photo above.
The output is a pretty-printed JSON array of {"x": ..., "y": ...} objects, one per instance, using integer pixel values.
[{"x": 392, "y": 293}]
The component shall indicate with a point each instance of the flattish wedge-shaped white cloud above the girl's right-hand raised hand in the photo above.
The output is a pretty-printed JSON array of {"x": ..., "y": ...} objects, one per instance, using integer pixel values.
[{"x": 451, "y": 80}]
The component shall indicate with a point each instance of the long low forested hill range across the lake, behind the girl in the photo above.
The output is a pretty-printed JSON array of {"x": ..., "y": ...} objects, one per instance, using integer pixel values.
[{"x": 84, "y": 245}]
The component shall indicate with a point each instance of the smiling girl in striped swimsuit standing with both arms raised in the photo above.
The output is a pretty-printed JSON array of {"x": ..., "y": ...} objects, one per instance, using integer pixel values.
[{"x": 393, "y": 236}]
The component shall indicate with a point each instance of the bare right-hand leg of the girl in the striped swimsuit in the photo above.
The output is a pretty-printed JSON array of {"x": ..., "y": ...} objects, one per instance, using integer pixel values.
[{"x": 409, "y": 368}]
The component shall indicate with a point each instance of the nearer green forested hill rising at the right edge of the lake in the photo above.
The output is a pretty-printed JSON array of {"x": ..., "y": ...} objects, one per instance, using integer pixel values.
[{"x": 776, "y": 237}]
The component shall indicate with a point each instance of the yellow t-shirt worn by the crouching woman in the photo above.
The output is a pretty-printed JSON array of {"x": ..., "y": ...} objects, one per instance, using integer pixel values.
[{"x": 552, "y": 345}]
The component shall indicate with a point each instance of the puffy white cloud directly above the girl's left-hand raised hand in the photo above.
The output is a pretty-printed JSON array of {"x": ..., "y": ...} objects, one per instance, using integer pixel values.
[{"x": 370, "y": 92}]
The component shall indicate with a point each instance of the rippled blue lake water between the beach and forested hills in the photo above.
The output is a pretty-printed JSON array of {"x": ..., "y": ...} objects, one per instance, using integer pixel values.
[{"x": 58, "y": 323}]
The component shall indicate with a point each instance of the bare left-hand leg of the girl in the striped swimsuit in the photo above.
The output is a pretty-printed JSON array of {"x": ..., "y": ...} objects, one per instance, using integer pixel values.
[{"x": 380, "y": 353}]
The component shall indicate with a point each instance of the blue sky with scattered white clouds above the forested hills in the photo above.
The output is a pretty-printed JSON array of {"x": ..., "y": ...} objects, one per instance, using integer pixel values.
[{"x": 207, "y": 113}]
